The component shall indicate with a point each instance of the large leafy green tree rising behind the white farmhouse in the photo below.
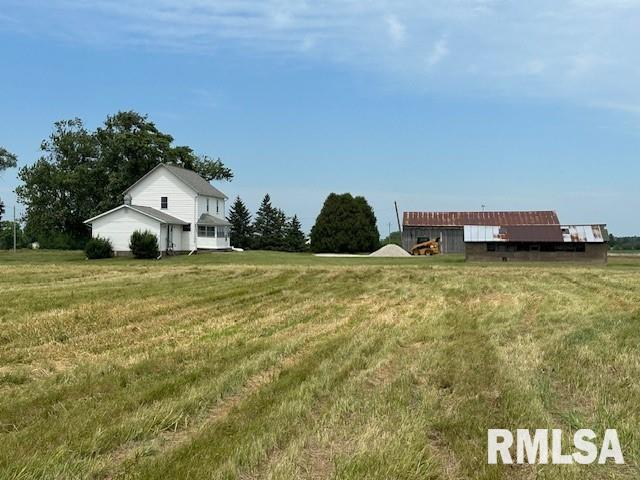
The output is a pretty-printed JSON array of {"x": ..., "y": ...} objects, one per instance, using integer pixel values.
[{"x": 82, "y": 173}]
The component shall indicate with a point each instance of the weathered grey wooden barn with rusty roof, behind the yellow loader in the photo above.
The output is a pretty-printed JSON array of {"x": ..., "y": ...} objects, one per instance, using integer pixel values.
[{"x": 449, "y": 226}]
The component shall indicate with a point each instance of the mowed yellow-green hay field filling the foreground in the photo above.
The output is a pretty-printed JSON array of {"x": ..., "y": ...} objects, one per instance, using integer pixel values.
[{"x": 283, "y": 366}]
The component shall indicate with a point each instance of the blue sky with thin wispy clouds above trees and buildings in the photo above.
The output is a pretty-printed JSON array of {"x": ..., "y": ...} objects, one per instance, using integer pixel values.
[{"x": 436, "y": 104}]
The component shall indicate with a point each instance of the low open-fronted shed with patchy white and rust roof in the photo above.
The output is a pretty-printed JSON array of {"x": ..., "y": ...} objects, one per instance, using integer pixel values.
[{"x": 562, "y": 243}]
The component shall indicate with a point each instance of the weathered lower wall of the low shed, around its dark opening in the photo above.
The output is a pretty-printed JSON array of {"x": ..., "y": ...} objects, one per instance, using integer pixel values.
[{"x": 594, "y": 253}]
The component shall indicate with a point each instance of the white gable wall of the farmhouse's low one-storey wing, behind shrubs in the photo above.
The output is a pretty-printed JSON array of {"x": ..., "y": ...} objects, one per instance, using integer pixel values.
[{"x": 119, "y": 225}]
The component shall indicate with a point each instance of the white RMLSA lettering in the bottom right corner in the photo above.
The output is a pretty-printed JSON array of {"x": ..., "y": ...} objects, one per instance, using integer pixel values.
[{"x": 535, "y": 449}]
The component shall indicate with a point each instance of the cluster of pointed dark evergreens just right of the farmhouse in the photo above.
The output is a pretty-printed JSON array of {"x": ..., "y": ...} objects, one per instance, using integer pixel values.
[{"x": 270, "y": 230}]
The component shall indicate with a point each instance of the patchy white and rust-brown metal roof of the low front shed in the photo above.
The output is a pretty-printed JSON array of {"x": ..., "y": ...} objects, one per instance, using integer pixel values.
[{"x": 536, "y": 233}]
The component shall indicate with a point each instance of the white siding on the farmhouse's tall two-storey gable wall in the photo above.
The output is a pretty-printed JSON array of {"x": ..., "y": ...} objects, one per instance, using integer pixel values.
[{"x": 180, "y": 199}]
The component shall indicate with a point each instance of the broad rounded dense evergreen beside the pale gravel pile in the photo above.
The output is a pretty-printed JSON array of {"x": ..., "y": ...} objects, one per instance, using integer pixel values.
[{"x": 346, "y": 224}]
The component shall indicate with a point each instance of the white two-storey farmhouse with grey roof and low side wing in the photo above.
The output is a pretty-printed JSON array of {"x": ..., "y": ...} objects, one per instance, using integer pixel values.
[{"x": 184, "y": 211}]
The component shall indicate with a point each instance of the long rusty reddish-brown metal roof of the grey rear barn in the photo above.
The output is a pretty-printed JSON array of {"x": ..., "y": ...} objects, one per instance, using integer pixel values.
[{"x": 460, "y": 219}]
